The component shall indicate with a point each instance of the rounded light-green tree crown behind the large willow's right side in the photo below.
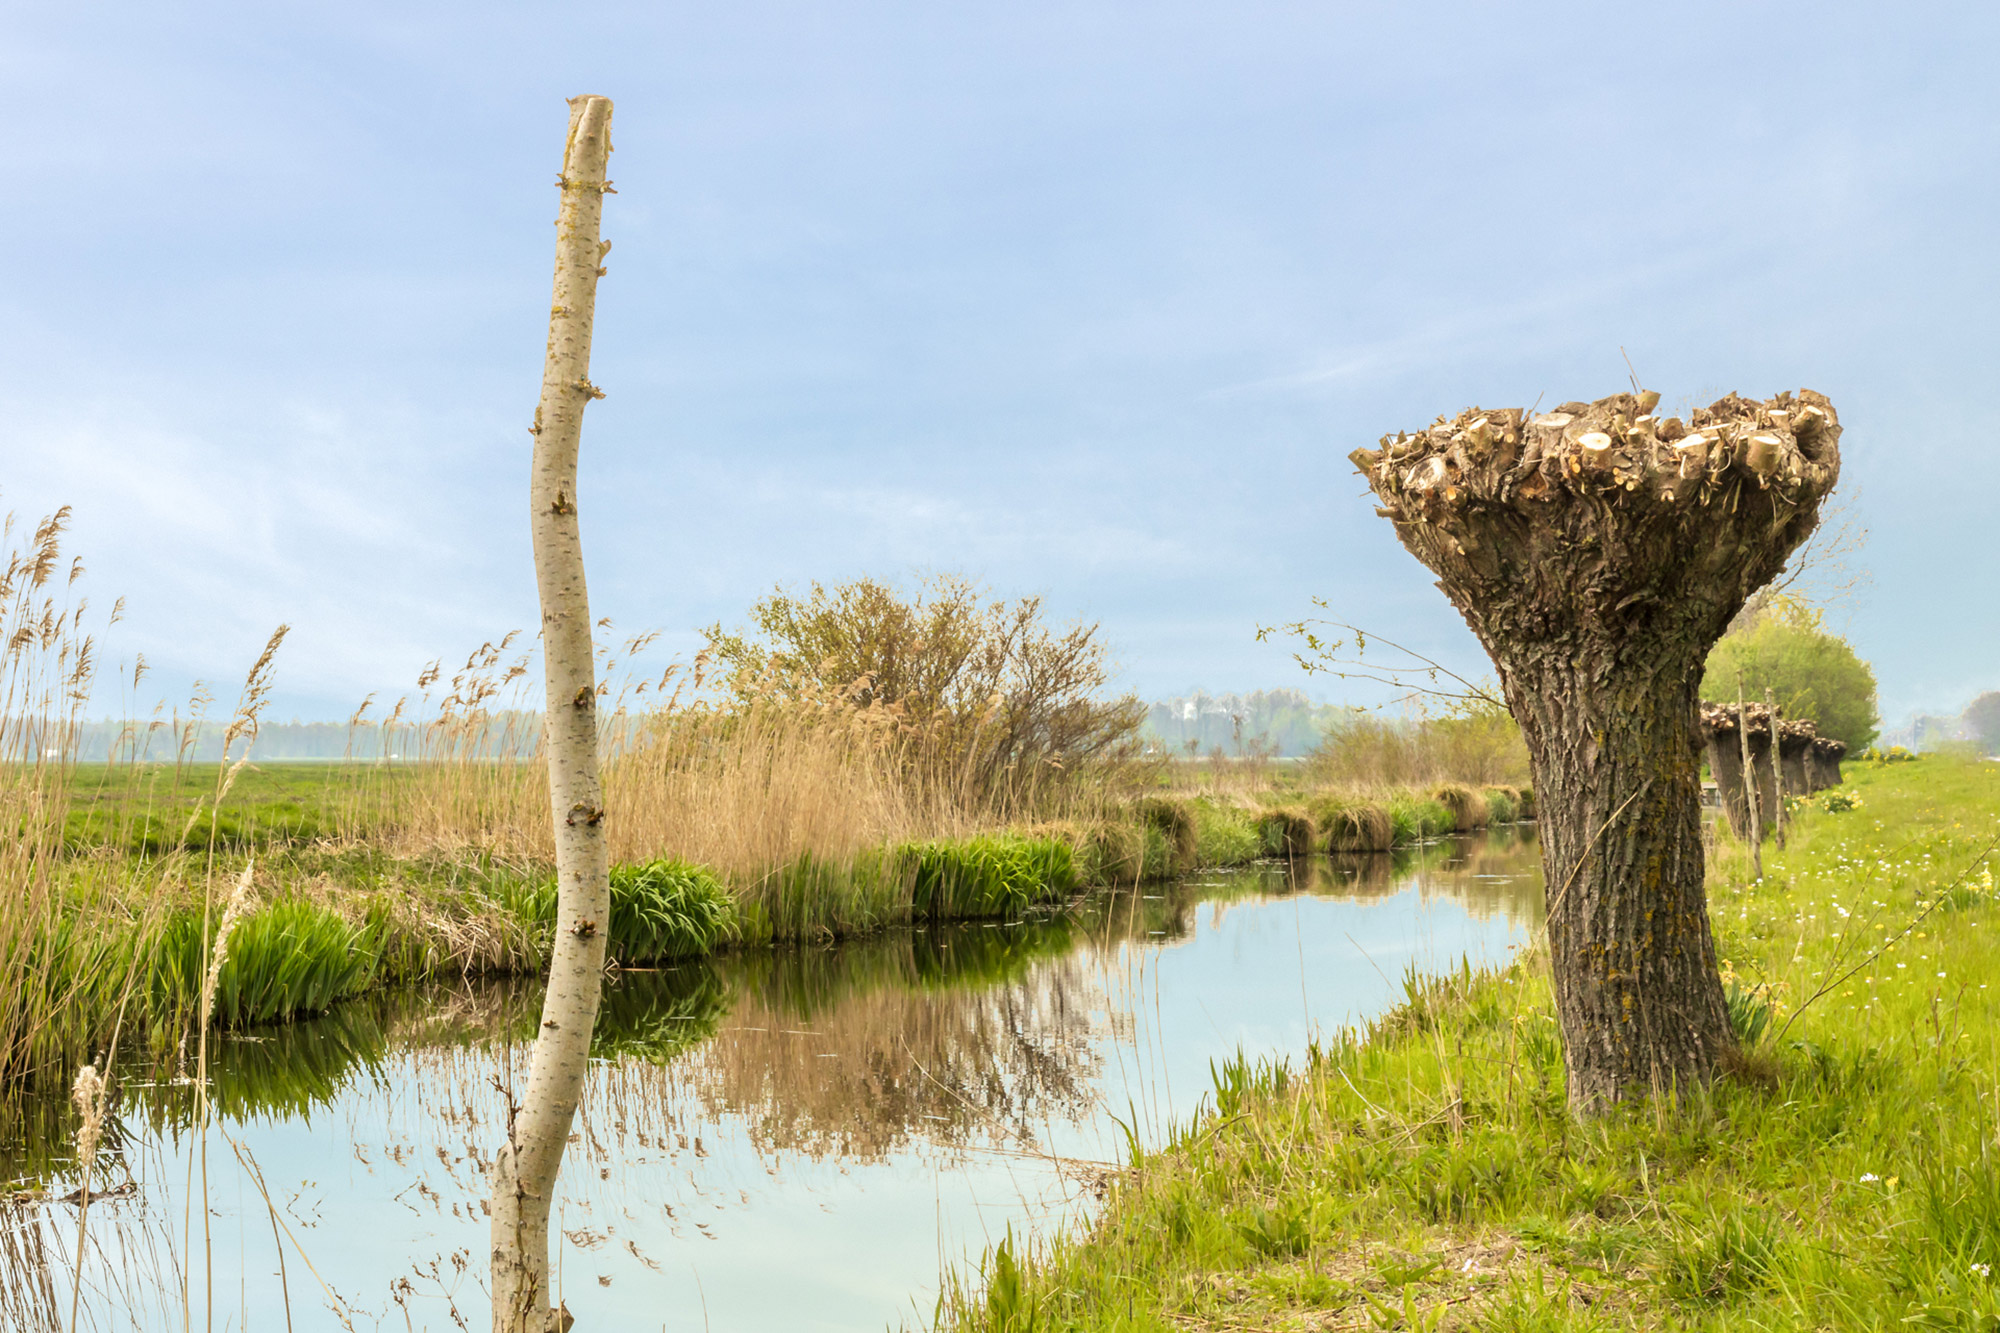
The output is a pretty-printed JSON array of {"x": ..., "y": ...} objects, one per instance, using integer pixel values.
[{"x": 1815, "y": 674}]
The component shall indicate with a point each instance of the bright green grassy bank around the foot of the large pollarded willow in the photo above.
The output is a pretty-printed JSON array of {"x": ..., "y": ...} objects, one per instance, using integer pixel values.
[{"x": 1427, "y": 1176}]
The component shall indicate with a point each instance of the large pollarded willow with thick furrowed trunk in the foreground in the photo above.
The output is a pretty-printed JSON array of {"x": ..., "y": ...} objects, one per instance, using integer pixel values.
[{"x": 1599, "y": 551}]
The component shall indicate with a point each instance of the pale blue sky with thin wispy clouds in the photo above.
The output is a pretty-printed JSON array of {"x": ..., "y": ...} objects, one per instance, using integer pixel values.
[{"x": 1081, "y": 299}]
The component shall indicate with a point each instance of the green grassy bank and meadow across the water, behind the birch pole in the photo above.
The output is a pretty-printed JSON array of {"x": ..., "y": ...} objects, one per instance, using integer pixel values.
[{"x": 359, "y": 882}]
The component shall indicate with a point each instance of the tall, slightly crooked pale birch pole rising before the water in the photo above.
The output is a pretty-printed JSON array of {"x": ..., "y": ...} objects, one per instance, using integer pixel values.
[{"x": 527, "y": 1166}]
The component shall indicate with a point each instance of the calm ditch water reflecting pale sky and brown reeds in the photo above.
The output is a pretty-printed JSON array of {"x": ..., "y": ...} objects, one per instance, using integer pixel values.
[{"x": 777, "y": 1140}]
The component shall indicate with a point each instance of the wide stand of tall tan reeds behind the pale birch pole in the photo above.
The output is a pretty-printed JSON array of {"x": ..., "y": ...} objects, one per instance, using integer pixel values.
[{"x": 745, "y": 786}]
